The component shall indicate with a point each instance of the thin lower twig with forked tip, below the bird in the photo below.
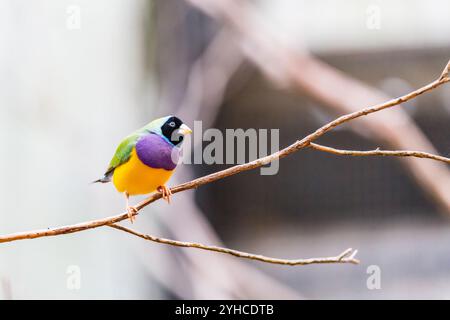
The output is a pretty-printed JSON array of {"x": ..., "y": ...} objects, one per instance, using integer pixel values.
[{"x": 348, "y": 256}]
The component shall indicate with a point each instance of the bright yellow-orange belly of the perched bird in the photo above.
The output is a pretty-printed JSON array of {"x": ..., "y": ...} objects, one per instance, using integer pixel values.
[{"x": 134, "y": 177}]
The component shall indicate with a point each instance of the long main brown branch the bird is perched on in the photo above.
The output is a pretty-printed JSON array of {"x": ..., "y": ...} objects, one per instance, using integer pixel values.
[{"x": 300, "y": 144}]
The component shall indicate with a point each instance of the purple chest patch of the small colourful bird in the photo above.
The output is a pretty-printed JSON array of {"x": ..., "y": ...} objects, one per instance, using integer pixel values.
[{"x": 156, "y": 152}]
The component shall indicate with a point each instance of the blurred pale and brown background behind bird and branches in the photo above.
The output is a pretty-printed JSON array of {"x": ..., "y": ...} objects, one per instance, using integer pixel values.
[{"x": 77, "y": 76}]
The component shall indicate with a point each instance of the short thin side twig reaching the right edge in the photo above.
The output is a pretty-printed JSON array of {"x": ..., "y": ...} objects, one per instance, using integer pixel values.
[{"x": 379, "y": 152}]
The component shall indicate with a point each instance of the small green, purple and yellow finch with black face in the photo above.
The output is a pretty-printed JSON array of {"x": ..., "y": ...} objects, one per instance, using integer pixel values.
[{"x": 146, "y": 159}]
